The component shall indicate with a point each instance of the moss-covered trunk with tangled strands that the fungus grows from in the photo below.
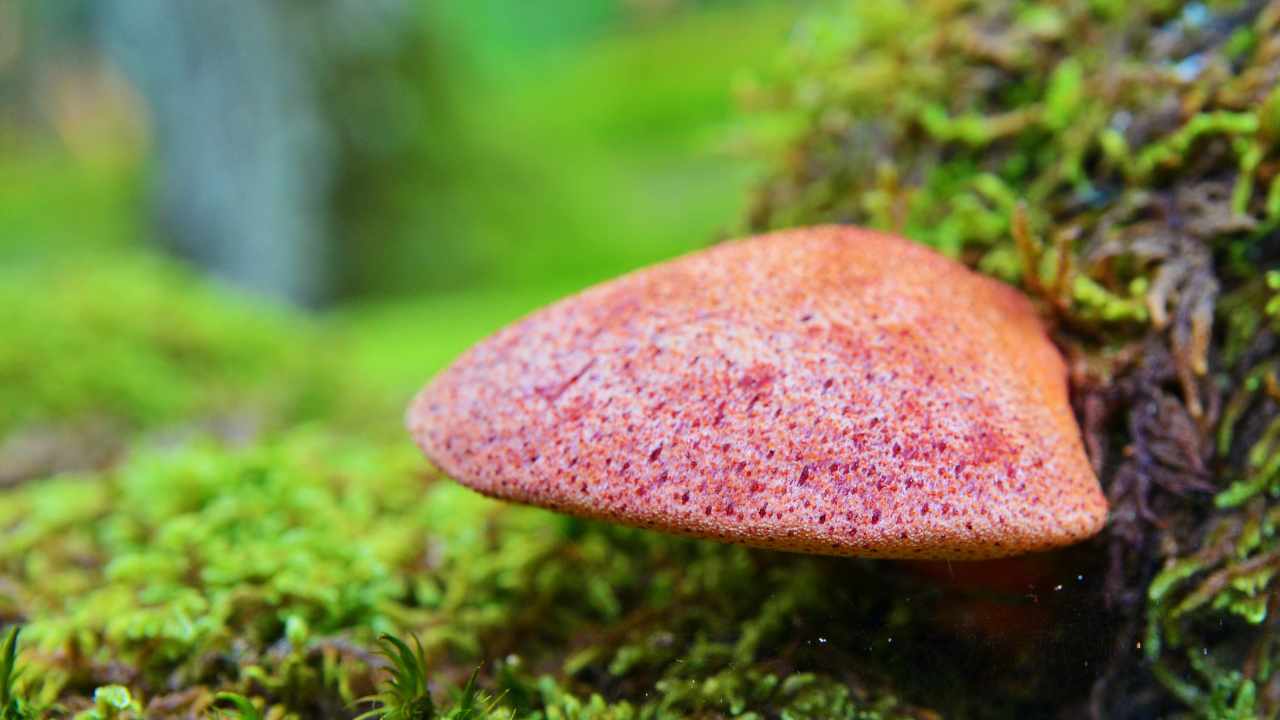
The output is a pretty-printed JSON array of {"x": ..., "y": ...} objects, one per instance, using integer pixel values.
[{"x": 1121, "y": 162}]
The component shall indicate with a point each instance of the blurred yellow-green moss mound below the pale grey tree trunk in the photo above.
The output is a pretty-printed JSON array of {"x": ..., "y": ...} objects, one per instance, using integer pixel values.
[{"x": 97, "y": 350}]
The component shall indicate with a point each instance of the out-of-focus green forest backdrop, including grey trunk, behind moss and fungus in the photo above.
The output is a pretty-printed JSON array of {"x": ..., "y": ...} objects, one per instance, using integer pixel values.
[{"x": 420, "y": 172}]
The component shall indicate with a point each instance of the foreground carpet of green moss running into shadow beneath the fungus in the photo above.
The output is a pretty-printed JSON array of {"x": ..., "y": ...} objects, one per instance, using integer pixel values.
[{"x": 271, "y": 571}]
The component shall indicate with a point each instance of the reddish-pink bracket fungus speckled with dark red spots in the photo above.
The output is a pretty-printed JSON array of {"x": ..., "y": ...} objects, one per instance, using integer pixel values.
[{"x": 825, "y": 390}]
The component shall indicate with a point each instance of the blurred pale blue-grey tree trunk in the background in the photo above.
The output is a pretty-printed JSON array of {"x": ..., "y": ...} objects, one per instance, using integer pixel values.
[{"x": 245, "y": 165}]
